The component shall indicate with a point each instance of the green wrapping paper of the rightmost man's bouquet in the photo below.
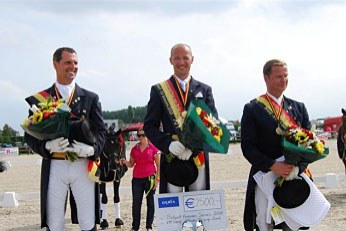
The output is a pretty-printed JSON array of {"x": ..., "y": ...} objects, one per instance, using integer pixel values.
[{"x": 295, "y": 154}]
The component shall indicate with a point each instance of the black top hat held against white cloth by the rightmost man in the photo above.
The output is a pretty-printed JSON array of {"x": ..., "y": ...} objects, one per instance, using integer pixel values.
[{"x": 292, "y": 193}]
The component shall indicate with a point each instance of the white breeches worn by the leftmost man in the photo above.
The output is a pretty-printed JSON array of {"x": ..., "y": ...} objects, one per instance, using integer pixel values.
[{"x": 64, "y": 175}]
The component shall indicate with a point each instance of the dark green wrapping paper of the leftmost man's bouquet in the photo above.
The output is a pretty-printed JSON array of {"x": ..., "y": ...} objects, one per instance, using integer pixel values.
[{"x": 56, "y": 126}]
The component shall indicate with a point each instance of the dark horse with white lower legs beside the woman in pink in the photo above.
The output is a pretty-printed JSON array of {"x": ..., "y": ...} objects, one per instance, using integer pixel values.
[{"x": 111, "y": 171}]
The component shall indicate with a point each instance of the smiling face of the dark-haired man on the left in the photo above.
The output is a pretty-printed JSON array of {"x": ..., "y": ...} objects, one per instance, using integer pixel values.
[{"x": 66, "y": 69}]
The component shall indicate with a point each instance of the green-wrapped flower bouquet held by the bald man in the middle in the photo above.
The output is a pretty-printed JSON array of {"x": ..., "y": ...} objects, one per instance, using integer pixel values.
[{"x": 202, "y": 131}]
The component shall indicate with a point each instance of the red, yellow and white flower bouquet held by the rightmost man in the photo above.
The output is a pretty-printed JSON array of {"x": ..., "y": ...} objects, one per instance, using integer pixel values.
[{"x": 301, "y": 145}]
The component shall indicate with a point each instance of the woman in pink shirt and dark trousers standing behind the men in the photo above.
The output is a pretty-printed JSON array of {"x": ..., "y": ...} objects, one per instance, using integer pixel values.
[{"x": 145, "y": 158}]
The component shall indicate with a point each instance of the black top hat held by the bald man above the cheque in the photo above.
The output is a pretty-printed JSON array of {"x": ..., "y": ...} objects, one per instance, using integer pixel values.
[{"x": 181, "y": 172}]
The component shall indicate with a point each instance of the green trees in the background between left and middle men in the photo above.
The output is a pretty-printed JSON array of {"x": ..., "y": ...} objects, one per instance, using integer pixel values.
[{"x": 126, "y": 116}]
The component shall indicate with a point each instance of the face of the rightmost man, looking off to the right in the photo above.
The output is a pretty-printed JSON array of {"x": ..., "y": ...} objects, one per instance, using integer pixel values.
[{"x": 277, "y": 81}]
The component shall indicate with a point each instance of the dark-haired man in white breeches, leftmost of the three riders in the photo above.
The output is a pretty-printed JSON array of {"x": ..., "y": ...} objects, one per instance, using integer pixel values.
[{"x": 58, "y": 174}]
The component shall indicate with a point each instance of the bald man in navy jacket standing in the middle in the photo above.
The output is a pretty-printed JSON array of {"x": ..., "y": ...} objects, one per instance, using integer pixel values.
[{"x": 159, "y": 127}]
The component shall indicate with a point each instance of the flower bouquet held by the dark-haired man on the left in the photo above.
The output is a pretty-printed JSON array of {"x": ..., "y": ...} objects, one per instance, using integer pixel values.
[{"x": 50, "y": 119}]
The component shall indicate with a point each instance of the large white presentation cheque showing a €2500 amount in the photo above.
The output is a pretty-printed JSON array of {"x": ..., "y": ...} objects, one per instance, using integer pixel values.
[{"x": 173, "y": 209}]
